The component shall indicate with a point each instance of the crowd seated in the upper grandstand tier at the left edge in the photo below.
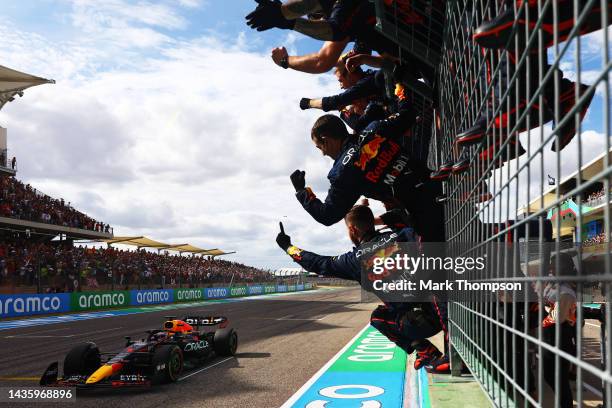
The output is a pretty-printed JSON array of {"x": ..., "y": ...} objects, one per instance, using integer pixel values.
[{"x": 22, "y": 201}]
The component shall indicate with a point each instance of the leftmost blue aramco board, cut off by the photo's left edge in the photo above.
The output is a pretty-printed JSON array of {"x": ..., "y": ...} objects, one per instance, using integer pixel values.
[{"x": 26, "y": 305}]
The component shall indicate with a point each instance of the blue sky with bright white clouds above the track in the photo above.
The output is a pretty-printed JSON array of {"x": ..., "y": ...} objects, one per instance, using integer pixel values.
[{"x": 168, "y": 119}]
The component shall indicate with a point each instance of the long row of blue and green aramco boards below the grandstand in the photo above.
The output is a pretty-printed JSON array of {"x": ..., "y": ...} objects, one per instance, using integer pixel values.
[{"x": 18, "y": 305}]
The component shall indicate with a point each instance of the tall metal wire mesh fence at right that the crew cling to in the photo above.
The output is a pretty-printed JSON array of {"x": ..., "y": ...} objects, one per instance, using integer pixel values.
[{"x": 522, "y": 141}]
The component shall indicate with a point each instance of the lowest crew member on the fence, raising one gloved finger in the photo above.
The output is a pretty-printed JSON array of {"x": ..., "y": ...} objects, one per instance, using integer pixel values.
[{"x": 408, "y": 324}]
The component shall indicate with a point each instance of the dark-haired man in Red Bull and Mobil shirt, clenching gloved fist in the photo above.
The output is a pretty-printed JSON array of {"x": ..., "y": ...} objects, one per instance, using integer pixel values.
[{"x": 374, "y": 165}]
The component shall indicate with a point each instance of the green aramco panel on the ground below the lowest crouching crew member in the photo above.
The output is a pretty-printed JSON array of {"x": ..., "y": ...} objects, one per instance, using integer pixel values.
[{"x": 371, "y": 352}]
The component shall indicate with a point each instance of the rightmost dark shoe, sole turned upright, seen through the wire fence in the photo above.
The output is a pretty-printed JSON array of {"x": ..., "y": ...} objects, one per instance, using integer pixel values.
[{"x": 568, "y": 100}]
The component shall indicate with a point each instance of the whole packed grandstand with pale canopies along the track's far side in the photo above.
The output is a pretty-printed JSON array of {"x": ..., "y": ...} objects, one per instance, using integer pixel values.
[{"x": 40, "y": 249}]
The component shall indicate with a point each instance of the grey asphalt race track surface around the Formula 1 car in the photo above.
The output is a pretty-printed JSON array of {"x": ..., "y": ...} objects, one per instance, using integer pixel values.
[{"x": 283, "y": 341}]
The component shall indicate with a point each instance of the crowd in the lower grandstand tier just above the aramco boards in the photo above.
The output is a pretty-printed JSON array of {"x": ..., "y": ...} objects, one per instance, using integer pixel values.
[{"x": 66, "y": 268}]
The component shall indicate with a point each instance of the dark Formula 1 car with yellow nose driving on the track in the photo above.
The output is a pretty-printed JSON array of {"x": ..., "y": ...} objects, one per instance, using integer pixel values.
[{"x": 160, "y": 358}]
